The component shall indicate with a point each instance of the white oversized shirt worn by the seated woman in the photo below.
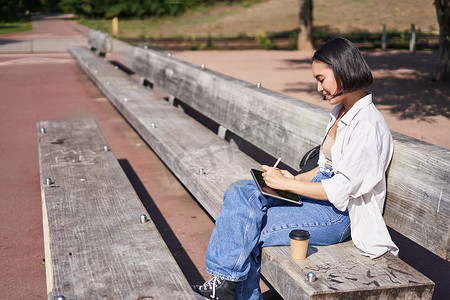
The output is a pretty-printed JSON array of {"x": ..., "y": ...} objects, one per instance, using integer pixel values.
[{"x": 360, "y": 158}]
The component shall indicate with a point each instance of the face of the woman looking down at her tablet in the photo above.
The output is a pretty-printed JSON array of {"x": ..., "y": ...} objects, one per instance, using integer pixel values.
[{"x": 326, "y": 82}]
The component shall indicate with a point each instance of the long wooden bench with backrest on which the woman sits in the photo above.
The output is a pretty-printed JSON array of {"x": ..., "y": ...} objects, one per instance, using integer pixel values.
[{"x": 207, "y": 163}]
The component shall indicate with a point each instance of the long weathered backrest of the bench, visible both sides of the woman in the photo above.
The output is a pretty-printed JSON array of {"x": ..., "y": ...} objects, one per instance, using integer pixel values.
[{"x": 286, "y": 127}]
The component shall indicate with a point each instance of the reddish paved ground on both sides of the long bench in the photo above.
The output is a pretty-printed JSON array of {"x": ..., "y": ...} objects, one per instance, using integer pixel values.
[{"x": 40, "y": 81}]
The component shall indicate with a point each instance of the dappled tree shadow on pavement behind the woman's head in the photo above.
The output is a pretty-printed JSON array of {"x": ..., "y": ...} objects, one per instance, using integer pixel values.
[{"x": 403, "y": 83}]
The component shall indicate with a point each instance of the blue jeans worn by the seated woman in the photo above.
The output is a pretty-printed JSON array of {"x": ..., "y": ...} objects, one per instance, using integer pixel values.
[{"x": 249, "y": 221}]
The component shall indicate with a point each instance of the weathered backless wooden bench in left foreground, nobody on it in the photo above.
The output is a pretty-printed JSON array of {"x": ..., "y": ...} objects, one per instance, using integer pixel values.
[{"x": 95, "y": 243}]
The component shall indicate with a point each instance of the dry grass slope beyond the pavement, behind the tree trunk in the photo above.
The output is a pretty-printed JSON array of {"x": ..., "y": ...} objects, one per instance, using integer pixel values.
[{"x": 280, "y": 17}]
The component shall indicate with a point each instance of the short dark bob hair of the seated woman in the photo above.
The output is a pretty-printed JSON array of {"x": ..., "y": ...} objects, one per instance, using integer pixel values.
[{"x": 349, "y": 67}]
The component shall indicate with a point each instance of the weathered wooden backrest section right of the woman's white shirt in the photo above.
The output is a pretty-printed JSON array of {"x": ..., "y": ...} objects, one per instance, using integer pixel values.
[{"x": 418, "y": 194}]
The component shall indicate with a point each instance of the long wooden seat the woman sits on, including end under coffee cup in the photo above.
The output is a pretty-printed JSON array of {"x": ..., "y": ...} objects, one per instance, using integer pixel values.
[{"x": 185, "y": 148}]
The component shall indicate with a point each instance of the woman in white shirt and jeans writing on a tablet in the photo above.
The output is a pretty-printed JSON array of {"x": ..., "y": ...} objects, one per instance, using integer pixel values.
[{"x": 344, "y": 194}]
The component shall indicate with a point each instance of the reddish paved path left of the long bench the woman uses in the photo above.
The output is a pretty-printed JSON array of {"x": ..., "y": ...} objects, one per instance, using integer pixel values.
[{"x": 45, "y": 83}]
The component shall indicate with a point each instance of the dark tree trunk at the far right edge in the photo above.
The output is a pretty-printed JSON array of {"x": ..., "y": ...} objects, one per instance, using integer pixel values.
[{"x": 443, "y": 16}]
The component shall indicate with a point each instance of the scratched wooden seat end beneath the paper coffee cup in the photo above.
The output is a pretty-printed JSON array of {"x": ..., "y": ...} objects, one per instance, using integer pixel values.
[{"x": 348, "y": 277}]
